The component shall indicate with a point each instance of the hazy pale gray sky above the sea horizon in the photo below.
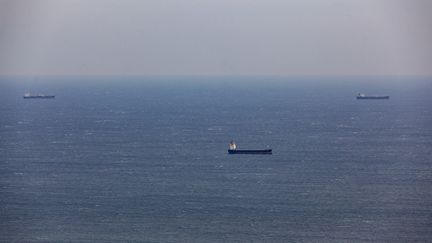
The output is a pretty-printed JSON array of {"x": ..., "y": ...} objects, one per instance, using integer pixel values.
[{"x": 216, "y": 37}]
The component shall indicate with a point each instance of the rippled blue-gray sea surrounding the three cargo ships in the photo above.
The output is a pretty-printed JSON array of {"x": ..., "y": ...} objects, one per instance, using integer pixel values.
[{"x": 144, "y": 159}]
